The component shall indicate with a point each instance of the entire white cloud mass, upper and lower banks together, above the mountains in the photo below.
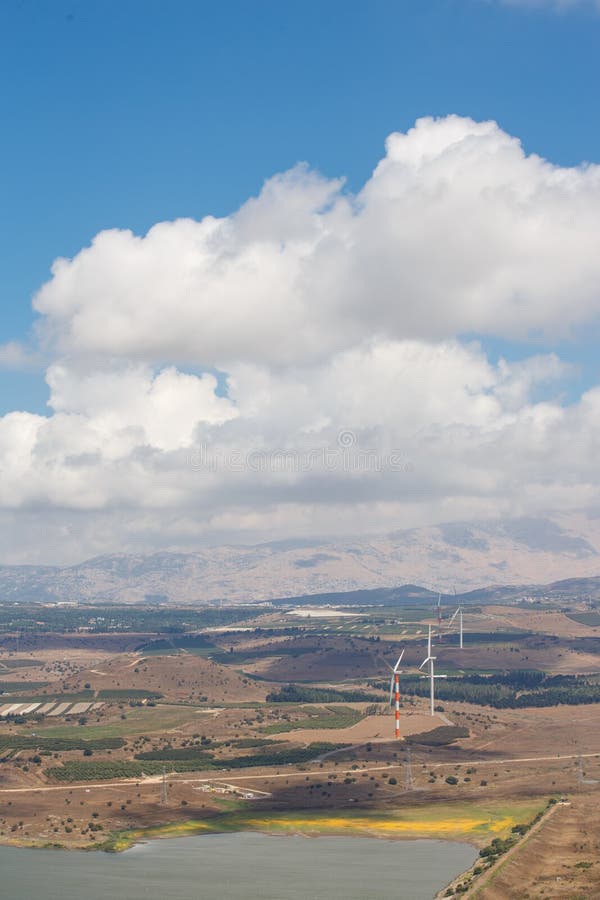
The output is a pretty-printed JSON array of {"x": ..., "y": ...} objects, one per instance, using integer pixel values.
[{"x": 313, "y": 363}]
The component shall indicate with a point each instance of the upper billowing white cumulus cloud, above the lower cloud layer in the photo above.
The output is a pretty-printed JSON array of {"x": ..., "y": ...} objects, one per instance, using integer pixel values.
[{"x": 457, "y": 230}]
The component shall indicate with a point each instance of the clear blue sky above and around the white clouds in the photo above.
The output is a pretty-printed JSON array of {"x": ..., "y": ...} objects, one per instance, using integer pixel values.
[{"x": 125, "y": 114}]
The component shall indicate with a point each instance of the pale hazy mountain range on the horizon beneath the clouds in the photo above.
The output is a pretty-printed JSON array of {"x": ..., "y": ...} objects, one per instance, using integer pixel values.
[{"x": 464, "y": 556}]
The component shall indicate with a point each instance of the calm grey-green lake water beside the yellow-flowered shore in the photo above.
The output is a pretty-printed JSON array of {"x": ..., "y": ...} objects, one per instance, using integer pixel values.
[{"x": 241, "y": 866}]
